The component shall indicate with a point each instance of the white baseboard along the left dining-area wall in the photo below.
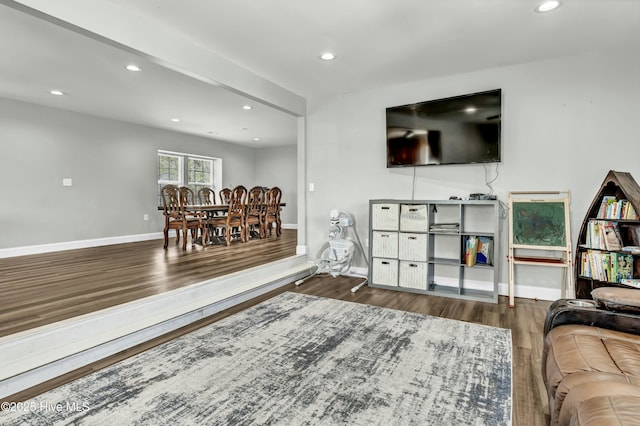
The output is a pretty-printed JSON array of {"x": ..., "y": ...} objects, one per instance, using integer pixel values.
[{"x": 79, "y": 244}]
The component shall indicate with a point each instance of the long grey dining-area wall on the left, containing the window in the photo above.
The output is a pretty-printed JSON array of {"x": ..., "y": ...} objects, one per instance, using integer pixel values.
[{"x": 113, "y": 167}]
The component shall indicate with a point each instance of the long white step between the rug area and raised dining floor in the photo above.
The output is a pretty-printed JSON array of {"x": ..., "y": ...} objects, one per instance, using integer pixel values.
[{"x": 34, "y": 356}]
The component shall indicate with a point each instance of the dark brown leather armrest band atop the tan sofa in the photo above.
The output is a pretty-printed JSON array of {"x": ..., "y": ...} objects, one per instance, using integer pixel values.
[{"x": 564, "y": 311}]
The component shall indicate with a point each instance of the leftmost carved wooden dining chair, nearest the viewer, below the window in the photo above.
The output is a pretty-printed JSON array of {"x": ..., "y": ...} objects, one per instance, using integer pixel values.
[{"x": 177, "y": 217}]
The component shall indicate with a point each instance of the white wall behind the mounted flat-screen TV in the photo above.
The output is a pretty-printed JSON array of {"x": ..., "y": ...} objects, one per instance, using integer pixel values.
[{"x": 565, "y": 124}]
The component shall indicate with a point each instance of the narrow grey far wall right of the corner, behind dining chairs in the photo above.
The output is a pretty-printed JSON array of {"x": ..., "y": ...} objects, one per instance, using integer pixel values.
[{"x": 277, "y": 166}]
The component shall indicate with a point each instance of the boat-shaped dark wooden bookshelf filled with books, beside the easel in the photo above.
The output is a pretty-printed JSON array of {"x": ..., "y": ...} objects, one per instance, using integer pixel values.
[{"x": 608, "y": 251}]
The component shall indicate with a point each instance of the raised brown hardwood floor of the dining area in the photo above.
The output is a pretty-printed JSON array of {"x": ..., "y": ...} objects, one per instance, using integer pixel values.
[{"x": 45, "y": 288}]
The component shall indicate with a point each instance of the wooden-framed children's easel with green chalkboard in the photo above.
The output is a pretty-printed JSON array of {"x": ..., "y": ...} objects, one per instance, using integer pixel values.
[{"x": 539, "y": 221}]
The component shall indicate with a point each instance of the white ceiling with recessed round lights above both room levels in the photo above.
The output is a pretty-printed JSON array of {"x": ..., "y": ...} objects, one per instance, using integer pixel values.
[{"x": 377, "y": 43}]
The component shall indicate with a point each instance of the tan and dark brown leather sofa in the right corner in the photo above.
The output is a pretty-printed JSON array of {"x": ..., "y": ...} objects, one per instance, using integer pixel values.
[{"x": 591, "y": 359}]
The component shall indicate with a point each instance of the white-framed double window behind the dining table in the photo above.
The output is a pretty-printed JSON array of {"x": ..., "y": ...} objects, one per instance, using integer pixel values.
[{"x": 193, "y": 171}]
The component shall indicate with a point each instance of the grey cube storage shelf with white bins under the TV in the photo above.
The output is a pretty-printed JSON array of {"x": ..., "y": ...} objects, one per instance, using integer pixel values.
[{"x": 419, "y": 246}]
